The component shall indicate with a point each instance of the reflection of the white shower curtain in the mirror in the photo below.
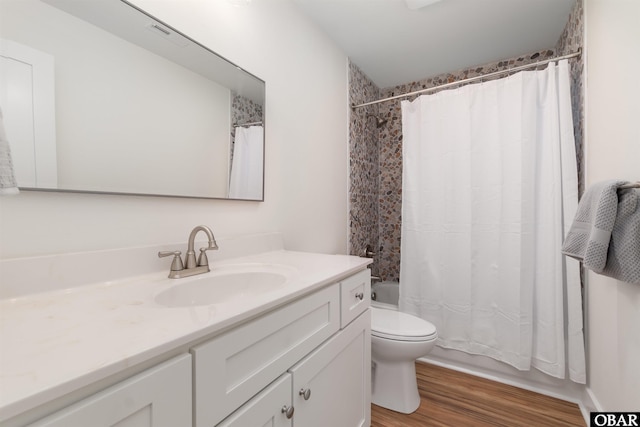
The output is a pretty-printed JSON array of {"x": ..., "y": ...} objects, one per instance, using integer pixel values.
[{"x": 247, "y": 166}]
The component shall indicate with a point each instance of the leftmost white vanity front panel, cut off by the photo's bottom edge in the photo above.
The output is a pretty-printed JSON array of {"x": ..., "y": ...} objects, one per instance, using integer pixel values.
[{"x": 158, "y": 397}]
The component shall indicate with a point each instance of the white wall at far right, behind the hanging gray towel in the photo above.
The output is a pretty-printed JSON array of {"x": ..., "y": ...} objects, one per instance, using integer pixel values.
[{"x": 613, "y": 151}]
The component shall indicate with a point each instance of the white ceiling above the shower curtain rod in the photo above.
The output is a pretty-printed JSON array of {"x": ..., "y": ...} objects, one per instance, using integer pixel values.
[{"x": 393, "y": 44}]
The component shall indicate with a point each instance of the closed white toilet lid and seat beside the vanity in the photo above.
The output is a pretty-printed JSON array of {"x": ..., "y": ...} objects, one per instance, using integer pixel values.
[{"x": 400, "y": 326}]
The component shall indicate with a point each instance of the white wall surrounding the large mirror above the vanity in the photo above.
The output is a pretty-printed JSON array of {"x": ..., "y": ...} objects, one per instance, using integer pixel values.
[{"x": 306, "y": 148}]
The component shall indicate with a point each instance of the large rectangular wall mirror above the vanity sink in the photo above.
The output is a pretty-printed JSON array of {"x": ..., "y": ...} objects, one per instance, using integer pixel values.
[{"x": 99, "y": 96}]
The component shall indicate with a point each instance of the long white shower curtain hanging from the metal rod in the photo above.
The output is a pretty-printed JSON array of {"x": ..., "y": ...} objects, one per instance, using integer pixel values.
[{"x": 489, "y": 191}]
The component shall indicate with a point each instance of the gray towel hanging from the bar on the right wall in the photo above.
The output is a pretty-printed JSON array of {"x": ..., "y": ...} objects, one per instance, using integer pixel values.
[{"x": 605, "y": 234}]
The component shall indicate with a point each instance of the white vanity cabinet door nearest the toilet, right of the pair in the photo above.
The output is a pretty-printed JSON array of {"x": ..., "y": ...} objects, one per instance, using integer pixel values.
[{"x": 332, "y": 386}]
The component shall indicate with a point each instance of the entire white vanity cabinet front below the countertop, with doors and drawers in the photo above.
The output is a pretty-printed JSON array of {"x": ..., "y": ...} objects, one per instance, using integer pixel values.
[{"x": 304, "y": 363}]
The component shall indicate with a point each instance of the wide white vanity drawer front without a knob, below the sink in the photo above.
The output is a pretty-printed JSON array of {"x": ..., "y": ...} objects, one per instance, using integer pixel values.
[{"x": 229, "y": 369}]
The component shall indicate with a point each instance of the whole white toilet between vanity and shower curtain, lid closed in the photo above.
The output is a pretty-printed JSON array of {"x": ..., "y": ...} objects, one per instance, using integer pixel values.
[{"x": 397, "y": 340}]
